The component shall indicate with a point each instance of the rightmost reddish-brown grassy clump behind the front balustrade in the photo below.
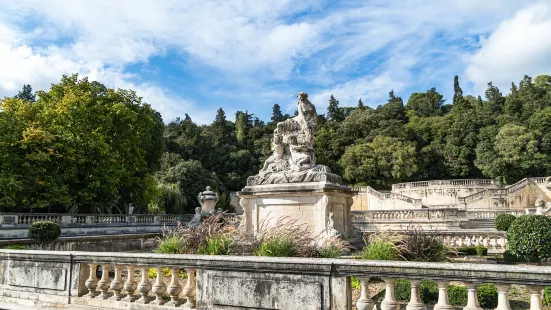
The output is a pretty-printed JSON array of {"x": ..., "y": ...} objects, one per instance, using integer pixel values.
[{"x": 421, "y": 246}]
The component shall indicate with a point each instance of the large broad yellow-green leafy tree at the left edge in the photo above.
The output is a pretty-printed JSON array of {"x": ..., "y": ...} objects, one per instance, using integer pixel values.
[{"x": 80, "y": 144}]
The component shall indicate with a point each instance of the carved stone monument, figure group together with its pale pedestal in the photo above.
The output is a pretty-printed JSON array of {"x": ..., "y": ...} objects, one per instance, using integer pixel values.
[{"x": 290, "y": 183}]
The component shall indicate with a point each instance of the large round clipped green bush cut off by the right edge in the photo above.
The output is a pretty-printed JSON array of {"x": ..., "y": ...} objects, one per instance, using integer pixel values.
[{"x": 530, "y": 236}]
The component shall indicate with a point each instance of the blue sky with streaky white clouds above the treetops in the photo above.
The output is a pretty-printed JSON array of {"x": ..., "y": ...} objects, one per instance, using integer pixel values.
[{"x": 187, "y": 56}]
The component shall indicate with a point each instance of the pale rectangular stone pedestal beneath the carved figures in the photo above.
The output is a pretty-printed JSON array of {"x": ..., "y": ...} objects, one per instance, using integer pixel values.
[{"x": 323, "y": 206}]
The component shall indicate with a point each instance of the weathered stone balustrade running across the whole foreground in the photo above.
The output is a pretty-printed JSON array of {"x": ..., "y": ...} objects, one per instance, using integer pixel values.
[{"x": 238, "y": 282}]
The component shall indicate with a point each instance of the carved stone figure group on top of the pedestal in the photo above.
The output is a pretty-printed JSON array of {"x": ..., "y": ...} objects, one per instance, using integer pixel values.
[{"x": 293, "y": 159}]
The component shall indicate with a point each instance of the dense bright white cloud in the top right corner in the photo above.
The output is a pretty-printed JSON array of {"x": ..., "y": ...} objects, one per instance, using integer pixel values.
[{"x": 520, "y": 45}]
